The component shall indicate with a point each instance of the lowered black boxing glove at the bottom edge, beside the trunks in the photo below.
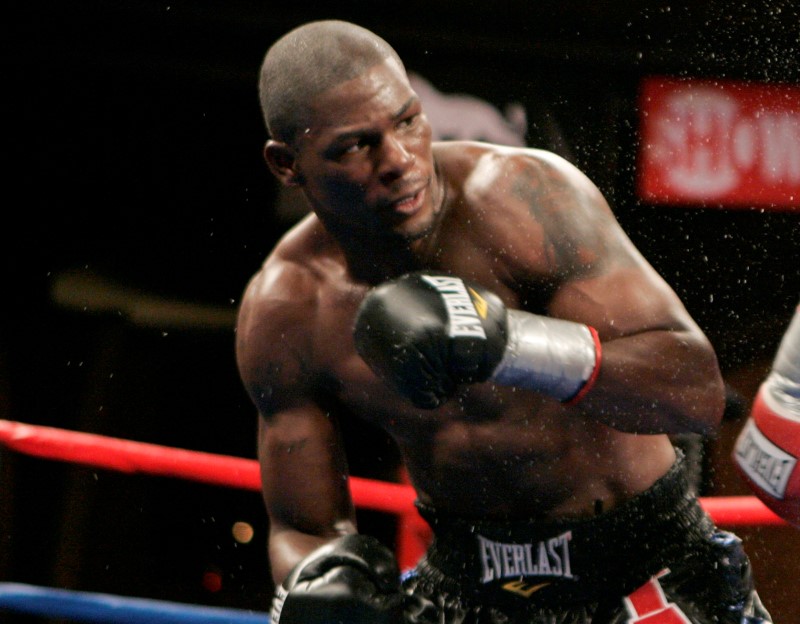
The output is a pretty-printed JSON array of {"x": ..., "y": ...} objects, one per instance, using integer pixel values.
[{"x": 352, "y": 580}]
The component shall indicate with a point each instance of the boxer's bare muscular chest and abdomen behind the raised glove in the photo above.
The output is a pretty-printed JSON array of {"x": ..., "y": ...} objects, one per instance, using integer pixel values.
[{"x": 490, "y": 451}]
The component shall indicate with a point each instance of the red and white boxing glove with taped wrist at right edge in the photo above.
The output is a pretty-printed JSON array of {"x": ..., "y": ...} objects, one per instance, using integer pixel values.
[{"x": 768, "y": 446}]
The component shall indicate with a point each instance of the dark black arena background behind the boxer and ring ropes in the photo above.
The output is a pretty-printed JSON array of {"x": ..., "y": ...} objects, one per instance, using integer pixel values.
[{"x": 133, "y": 155}]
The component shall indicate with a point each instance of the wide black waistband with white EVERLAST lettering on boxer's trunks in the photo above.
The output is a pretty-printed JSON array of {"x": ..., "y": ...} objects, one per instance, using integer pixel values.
[{"x": 566, "y": 562}]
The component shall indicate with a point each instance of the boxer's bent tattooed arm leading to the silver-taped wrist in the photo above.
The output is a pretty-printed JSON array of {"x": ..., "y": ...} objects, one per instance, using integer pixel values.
[{"x": 659, "y": 373}]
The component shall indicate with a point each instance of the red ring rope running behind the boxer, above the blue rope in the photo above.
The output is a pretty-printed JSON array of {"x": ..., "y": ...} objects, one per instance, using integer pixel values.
[{"x": 140, "y": 457}]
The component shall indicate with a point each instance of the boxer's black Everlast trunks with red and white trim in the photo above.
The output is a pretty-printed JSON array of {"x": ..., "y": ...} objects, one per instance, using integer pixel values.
[{"x": 655, "y": 559}]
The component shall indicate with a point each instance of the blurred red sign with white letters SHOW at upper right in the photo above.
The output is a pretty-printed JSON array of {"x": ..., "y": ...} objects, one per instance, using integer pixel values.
[{"x": 719, "y": 142}]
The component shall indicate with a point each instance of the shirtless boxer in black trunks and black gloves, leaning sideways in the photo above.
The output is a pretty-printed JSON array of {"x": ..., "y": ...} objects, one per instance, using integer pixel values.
[{"x": 526, "y": 359}]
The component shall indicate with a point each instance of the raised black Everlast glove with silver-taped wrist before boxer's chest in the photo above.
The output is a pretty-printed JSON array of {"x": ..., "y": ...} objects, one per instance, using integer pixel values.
[{"x": 426, "y": 333}]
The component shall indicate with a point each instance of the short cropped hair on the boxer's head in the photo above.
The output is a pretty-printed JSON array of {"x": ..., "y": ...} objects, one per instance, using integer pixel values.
[{"x": 309, "y": 60}]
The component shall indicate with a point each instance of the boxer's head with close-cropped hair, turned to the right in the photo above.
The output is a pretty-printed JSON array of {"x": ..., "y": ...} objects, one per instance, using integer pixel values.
[{"x": 347, "y": 128}]
